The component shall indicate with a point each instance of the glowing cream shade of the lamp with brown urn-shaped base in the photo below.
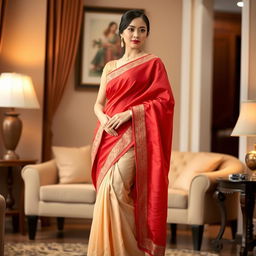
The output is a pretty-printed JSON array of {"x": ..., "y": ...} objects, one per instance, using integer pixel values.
[{"x": 17, "y": 91}]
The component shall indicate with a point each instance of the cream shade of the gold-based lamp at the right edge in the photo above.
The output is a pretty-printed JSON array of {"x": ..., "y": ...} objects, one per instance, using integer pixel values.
[{"x": 246, "y": 123}]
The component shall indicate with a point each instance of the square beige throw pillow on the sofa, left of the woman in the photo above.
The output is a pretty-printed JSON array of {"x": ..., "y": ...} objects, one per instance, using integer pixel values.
[{"x": 74, "y": 164}]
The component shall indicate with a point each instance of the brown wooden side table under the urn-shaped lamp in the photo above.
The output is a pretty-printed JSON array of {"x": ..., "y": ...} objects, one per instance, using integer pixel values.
[{"x": 17, "y": 214}]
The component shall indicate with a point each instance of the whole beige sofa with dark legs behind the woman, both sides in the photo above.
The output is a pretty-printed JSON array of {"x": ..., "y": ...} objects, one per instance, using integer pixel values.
[{"x": 192, "y": 181}]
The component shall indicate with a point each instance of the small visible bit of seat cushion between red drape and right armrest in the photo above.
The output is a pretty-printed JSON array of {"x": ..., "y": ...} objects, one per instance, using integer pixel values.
[{"x": 177, "y": 198}]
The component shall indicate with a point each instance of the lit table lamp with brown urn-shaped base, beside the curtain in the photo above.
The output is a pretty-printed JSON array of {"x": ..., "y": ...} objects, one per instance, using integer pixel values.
[{"x": 16, "y": 91}]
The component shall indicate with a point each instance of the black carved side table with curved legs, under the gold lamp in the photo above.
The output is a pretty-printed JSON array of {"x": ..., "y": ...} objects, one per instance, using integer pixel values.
[{"x": 247, "y": 191}]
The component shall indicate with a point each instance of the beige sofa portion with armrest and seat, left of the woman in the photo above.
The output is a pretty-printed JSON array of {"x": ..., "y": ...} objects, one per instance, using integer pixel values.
[{"x": 45, "y": 196}]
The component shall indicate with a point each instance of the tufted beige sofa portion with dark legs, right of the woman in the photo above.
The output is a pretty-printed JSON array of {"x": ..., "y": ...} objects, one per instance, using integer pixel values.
[{"x": 190, "y": 197}]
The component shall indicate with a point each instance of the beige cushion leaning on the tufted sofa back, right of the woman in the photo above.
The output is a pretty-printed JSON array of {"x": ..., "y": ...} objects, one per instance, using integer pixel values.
[{"x": 202, "y": 162}]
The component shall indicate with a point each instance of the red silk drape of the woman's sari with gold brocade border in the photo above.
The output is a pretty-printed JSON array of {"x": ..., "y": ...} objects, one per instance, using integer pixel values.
[{"x": 141, "y": 85}]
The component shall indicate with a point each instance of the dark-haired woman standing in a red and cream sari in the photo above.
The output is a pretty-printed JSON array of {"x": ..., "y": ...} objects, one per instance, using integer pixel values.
[{"x": 131, "y": 149}]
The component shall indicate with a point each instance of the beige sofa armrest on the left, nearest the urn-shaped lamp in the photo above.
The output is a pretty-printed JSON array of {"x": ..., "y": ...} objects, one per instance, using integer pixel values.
[{"x": 35, "y": 176}]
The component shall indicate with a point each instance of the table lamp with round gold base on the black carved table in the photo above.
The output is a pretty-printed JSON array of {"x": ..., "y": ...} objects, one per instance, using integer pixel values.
[{"x": 246, "y": 126}]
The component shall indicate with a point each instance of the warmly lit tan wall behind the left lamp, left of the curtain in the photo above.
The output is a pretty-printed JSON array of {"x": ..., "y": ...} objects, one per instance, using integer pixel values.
[{"x": 23, "y": 51}]
